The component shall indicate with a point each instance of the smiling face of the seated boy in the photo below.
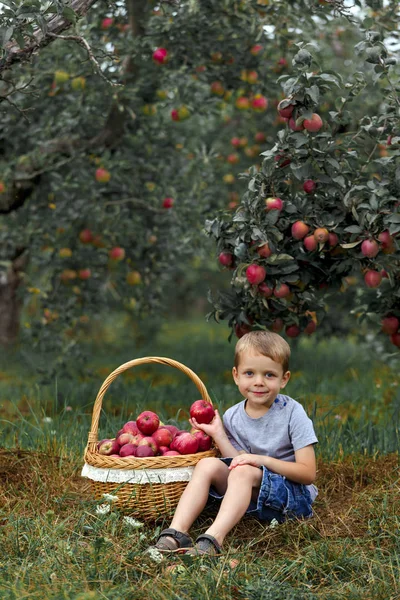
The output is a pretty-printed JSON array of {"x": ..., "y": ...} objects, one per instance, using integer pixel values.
[{"x": 259, "y": 379}]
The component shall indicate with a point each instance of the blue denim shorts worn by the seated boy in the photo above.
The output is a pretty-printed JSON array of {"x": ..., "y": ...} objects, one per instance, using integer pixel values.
[{"x": 279, "y": 498}]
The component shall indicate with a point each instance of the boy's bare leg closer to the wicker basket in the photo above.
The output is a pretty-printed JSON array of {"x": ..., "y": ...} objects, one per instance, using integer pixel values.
[{"x": 209, "y": 471}]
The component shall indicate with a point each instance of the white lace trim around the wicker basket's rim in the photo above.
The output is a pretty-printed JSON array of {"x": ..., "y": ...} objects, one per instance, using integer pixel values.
[{"x": 141, "y": 476}]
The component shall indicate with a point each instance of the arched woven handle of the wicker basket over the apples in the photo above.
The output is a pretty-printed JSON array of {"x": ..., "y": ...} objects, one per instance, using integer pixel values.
[{"x": 93, "y": 433}]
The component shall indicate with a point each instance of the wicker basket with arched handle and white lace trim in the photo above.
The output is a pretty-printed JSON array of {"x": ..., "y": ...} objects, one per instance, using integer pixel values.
[{"x": 146, "y": 488}]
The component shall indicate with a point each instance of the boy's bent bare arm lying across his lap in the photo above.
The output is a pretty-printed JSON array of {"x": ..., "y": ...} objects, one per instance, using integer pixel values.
[{"x": 302, "y": 471}]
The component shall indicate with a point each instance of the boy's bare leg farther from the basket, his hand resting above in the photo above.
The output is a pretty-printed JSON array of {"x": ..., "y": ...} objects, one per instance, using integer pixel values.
[{"x": 242, "y": 482}]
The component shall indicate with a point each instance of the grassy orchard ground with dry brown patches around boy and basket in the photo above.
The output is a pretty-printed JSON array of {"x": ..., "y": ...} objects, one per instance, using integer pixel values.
[{"x": 56, "y": 545}]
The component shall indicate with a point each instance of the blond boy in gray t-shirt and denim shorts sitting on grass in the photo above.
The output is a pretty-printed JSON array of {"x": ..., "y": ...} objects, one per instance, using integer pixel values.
[{"x": 269, "y": 441}]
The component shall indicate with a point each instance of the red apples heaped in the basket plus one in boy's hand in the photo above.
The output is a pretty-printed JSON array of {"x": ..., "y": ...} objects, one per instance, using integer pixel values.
[{"x": 147, "y": 436}]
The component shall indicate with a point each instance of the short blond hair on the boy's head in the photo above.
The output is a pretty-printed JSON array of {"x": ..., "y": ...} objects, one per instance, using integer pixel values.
[{"x": 266, "y": 343}]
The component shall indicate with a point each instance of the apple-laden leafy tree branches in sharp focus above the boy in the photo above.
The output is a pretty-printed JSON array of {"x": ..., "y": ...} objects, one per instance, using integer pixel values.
[{"x": 324, "y": 205}]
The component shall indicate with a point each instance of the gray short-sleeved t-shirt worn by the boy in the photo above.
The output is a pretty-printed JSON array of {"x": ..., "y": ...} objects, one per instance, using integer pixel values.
[{"x": 284, "y": 429}]
